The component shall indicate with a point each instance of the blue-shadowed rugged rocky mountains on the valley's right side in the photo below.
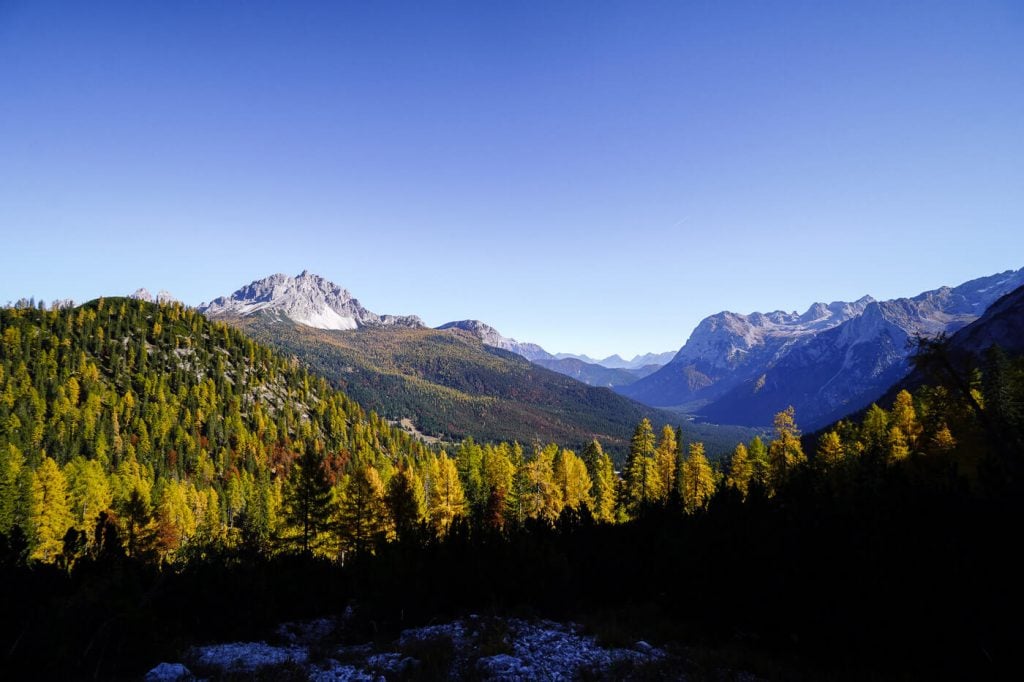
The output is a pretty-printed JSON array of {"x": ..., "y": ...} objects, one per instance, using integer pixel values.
[{"x": 832, "y": 360}]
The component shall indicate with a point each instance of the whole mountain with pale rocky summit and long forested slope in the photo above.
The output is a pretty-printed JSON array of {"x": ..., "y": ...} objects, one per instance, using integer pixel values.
[{"x": 463, "y": 379}]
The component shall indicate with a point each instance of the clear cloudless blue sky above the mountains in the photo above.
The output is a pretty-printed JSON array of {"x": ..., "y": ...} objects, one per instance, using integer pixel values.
[{"x": 592, "y": 177}]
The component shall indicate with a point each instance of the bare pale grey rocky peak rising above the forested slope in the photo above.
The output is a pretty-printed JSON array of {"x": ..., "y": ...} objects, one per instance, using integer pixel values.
[{"x": 308, "y": 300}]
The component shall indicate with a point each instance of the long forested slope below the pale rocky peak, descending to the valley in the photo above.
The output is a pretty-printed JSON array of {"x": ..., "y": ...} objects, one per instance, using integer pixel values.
[{"x": 452, "y": 386}]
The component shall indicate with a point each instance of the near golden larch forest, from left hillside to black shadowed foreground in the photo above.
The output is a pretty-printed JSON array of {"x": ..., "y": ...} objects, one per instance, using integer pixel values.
[{"x": 164, "y": 479}]
